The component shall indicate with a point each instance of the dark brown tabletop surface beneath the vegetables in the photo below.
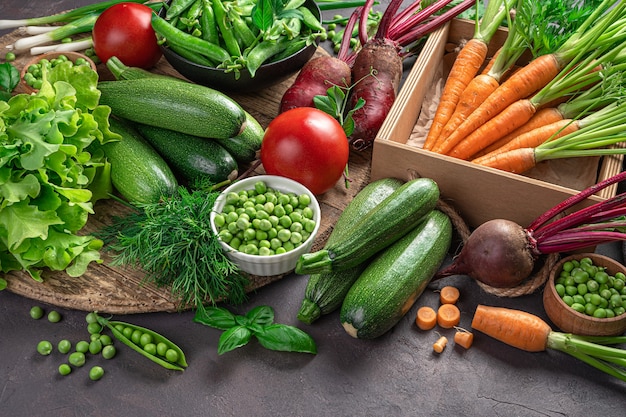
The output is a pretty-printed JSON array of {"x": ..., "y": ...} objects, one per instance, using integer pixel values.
[{"x": 394, "y": 375}]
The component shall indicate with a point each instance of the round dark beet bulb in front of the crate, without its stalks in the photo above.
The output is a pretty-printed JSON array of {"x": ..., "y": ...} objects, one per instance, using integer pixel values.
[{"x": 498, "y": 253}]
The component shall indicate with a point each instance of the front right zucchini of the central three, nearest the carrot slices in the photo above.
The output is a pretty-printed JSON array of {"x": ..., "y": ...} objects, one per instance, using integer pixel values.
[{"x": 395, "y": 278}]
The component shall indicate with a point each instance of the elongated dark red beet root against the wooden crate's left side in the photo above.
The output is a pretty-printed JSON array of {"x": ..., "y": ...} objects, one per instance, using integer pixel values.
[{"x": 377, "y": 71}]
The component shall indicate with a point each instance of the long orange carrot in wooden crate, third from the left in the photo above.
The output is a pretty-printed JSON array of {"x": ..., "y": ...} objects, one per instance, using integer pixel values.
[{"x": 523, "y": 83}]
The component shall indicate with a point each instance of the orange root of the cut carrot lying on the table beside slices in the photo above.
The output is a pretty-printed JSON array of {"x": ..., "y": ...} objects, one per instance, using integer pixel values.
[{"x": 516, "y": 328}]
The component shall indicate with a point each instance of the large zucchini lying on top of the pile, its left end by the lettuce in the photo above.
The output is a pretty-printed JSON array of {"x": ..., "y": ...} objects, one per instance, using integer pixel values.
[{"x": 170, "y": 104}]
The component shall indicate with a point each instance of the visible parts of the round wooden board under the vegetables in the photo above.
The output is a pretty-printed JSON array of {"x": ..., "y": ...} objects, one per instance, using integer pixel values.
[{"x": 121, "y": 290}]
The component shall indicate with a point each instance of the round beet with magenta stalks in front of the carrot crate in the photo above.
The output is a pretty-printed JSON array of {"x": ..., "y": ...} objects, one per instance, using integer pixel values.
[{"x": 501, "y": 253}]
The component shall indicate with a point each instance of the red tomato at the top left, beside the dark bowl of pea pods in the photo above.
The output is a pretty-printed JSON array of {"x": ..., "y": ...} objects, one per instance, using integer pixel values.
[{"x": 125, "y": 30}]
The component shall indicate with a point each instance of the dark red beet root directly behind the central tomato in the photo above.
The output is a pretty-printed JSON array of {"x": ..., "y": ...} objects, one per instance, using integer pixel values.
[{"x": 315, "y": 78}]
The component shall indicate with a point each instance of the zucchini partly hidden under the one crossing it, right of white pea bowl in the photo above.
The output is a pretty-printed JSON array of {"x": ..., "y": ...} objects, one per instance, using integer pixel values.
[{"x": 325, "y": 292}]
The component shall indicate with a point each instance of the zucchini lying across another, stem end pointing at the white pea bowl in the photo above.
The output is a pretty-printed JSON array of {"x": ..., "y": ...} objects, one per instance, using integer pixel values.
[{"x": 388, "y": 222}]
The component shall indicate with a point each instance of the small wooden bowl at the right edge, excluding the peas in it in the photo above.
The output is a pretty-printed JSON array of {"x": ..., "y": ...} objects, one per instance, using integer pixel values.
[{"x": 569, "y": 320}]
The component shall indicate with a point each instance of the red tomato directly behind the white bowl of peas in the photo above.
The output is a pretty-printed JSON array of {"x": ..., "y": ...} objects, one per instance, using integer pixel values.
[{"x": 306, "y": 145}]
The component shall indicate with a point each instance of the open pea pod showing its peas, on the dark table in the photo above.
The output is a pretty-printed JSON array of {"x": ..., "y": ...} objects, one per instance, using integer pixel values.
[{"x": 165, "y": 352}]
